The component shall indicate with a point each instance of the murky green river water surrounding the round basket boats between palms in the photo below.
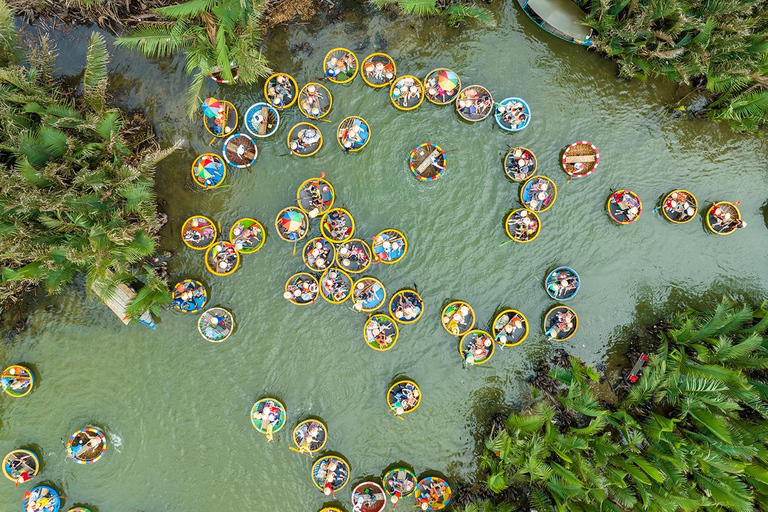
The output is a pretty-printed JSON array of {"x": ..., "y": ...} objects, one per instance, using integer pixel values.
[{"x": 176, "y": 408}]
